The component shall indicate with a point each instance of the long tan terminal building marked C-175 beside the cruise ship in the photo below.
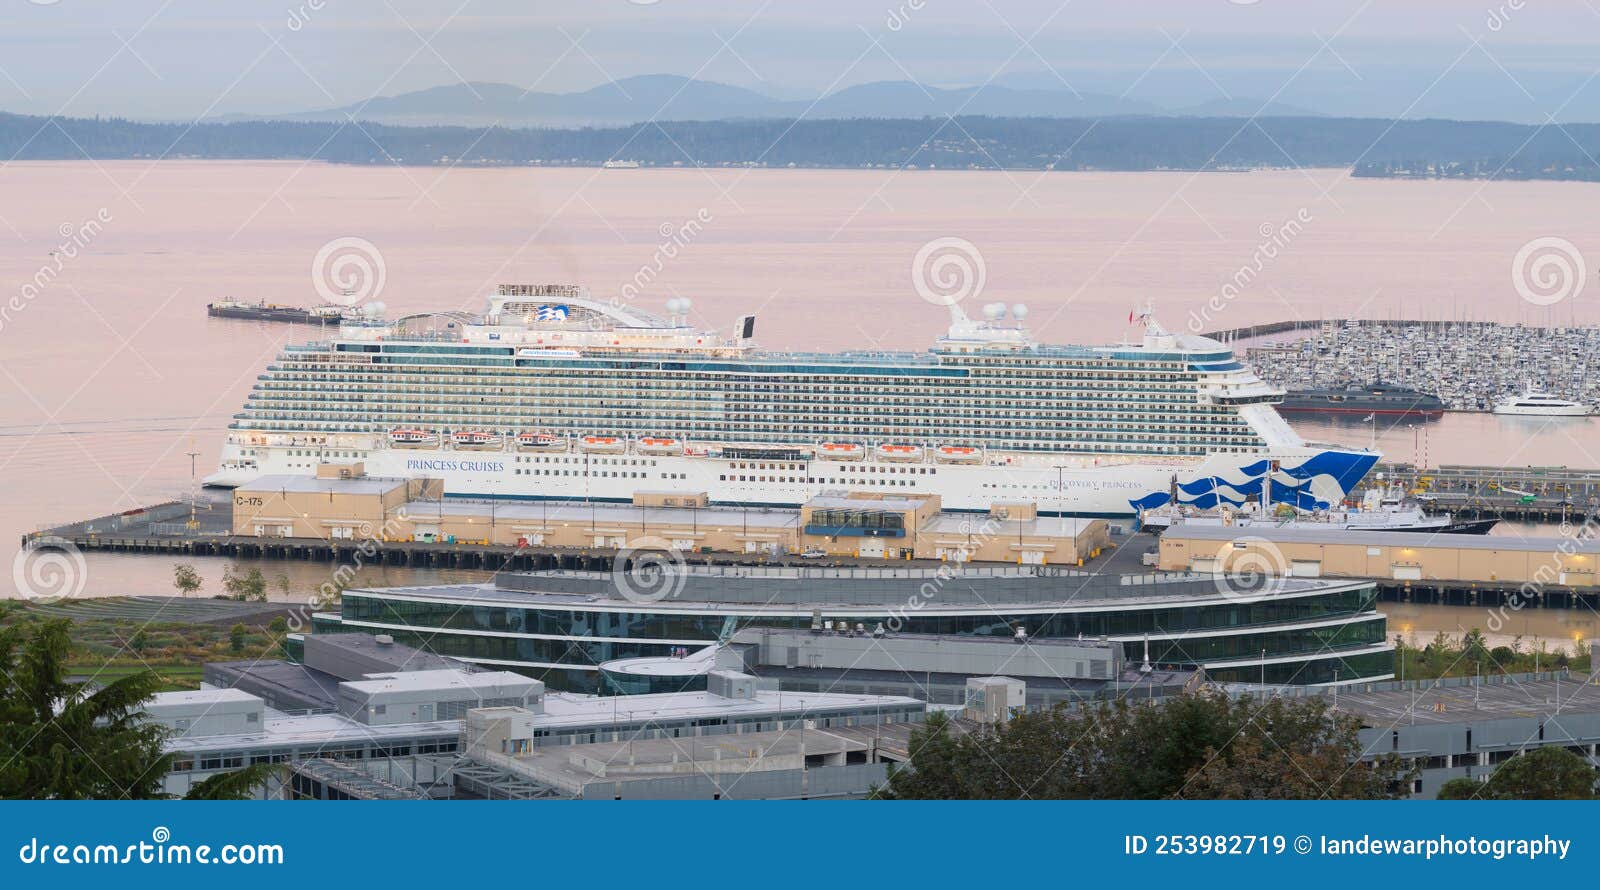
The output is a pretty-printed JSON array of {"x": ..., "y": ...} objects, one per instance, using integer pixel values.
[{"x": 342, "y": 503}]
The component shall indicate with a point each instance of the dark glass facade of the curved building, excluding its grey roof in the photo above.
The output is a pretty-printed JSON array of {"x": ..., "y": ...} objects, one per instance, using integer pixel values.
[{"x": 580, "y": 641}]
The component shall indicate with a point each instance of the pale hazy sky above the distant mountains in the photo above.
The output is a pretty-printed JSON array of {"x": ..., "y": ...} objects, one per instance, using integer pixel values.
[{"x": 186, "y": 58}]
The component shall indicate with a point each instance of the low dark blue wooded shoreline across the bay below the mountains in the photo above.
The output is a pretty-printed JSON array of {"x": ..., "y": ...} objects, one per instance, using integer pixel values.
[{"x": 1409, "y": 150}]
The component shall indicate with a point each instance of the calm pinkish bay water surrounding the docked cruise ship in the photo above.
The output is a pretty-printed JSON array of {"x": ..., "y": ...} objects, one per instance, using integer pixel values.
[{"x": 113, "y": 380}]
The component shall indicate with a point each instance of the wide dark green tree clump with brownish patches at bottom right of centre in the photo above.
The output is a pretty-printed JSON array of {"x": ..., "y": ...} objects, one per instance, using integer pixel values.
[{"x": 1194, "y": 747}]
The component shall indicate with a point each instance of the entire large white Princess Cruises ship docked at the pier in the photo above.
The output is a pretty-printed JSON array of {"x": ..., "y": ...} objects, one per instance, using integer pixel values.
[{"x": 558, "y": 395}]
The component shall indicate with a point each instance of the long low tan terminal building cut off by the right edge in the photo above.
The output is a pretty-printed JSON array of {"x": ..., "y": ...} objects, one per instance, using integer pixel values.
[{"x": 1396, "y": 556}]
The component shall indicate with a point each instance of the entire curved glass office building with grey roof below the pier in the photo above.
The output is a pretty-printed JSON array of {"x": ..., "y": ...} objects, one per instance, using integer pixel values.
[{"x": 561, "y": 627}]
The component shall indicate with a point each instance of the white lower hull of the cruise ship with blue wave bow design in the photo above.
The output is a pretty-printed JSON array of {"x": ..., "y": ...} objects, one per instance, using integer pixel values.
[{"x": 1071, "y": 486}]
